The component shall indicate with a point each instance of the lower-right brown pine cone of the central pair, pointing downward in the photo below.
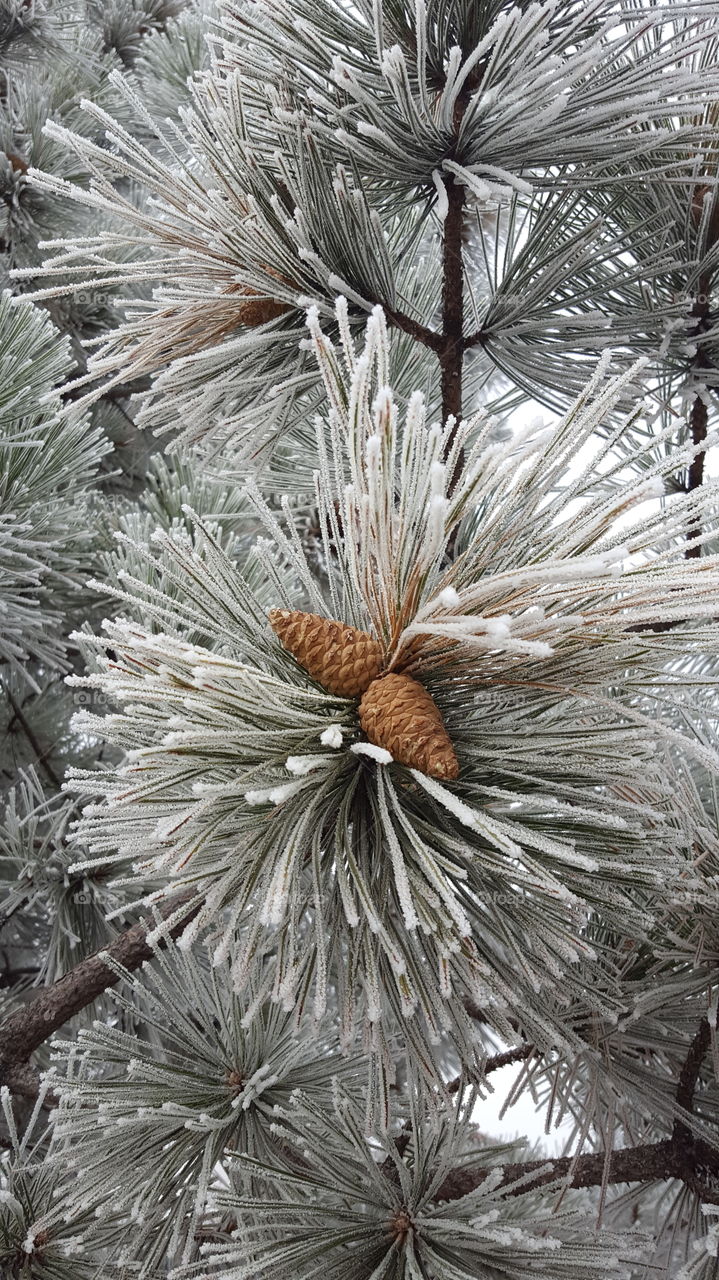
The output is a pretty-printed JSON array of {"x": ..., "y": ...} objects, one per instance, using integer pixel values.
[{"x": 400, "y": 715}]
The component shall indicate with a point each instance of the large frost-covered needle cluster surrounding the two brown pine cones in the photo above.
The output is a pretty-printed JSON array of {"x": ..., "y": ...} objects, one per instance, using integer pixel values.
[{"x": 535, "y": 641}]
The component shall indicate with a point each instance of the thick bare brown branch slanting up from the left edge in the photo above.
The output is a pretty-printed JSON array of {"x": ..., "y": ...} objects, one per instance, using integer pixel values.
[{"x": 28, "y": 1028}]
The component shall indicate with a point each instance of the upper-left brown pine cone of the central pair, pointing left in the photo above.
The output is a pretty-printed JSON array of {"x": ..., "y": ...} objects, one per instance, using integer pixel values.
[{"x": 341, "y": 659}]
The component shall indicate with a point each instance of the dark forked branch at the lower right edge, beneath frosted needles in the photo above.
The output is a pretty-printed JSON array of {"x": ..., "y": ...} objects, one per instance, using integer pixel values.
[{"x": 683, "y": 1156}]
